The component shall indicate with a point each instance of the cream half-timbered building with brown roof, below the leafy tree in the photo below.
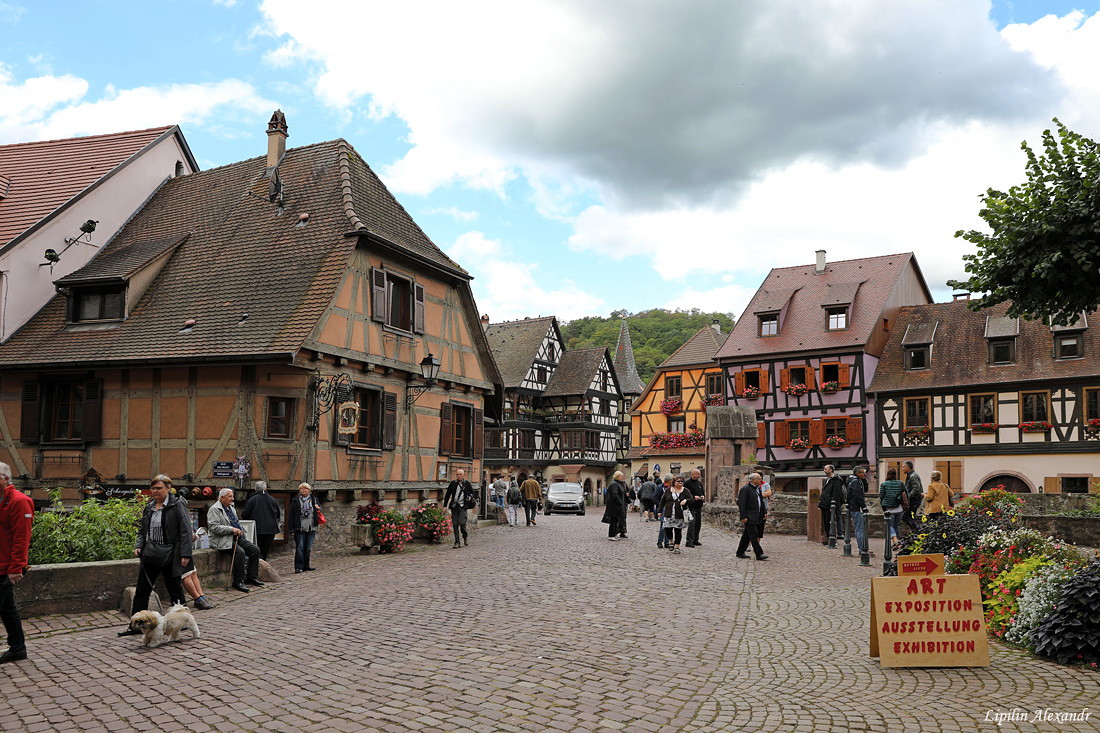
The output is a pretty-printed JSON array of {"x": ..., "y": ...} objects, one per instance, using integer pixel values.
[{"x": 989, "y": 400}]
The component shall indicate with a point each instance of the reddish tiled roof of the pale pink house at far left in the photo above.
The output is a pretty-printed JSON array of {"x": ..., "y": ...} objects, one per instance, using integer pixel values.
[{"x": 45, "y": 176}]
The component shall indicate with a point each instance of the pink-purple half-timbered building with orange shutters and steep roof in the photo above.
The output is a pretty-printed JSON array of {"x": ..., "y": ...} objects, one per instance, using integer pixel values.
[{"x": 805, "y": 353}]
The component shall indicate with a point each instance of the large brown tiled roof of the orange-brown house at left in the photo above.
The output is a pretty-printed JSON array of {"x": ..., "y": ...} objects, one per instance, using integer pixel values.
[{"x": 243, "y": 256}]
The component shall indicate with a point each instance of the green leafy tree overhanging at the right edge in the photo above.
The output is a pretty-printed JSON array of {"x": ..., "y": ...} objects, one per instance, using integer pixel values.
[{"x": 1043, "y": 256}]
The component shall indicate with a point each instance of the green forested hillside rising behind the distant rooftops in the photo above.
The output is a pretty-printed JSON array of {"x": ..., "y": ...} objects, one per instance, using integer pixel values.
[{"x": 654, "y": 334}]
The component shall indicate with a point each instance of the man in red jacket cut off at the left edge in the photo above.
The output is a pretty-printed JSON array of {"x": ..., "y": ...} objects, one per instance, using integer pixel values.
[{"x": 17, "y": 515}]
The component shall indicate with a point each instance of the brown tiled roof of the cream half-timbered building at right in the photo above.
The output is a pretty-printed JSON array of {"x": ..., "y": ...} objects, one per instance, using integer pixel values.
[{"x": 961, "y": 354}]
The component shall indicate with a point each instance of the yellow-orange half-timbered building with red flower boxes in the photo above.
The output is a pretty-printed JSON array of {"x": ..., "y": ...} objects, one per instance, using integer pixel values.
[{"x": 668, "y": 421}]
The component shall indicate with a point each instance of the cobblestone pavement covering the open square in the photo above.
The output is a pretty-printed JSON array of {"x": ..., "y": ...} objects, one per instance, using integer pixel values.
[{"x": 530, "y": 629}]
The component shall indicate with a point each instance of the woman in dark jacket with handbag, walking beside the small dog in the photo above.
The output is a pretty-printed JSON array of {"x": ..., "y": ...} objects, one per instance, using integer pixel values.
[{"x": 164, "y": 548}]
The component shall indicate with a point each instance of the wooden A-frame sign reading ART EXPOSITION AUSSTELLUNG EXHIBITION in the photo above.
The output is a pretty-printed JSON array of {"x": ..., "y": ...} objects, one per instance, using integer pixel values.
[{"x": 931, "y": 621}]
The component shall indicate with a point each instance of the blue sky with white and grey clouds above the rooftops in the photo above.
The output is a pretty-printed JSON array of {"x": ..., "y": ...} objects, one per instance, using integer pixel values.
[{"x": 580, "y": 157}]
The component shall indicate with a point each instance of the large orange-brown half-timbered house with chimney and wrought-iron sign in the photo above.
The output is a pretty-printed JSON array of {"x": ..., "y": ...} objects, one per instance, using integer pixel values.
[{"x": 267, "y": 320}]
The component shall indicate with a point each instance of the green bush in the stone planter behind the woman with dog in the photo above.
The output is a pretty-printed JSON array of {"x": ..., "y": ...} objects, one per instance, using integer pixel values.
[{"x": 92, "y": 532}]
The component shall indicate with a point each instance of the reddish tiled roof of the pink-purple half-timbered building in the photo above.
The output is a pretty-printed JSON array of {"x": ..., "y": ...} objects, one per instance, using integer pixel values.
[{"x": 806, "y": 294}]
